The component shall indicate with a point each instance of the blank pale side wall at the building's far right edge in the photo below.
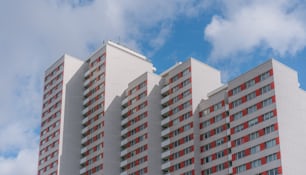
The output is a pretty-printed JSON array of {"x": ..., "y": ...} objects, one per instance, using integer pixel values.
[{"x": 291, "y": 110}]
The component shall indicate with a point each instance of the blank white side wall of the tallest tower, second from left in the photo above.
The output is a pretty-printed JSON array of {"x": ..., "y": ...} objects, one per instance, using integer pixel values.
[{"x": 122, "y": 66}]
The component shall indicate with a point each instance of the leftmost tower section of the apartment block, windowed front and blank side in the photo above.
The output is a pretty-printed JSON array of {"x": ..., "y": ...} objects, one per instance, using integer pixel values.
[{"x": 61, "y": 118}]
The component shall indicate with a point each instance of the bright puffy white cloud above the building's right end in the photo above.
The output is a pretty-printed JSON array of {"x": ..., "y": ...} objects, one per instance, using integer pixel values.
[{"x": 248, "y": 25}]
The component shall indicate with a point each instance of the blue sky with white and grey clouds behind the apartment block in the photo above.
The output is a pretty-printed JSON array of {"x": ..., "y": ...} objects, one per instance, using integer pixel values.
[{"x": 231, "y": 35}]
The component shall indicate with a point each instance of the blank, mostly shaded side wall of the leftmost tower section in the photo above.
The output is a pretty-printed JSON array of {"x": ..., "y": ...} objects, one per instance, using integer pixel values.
[{"x": 70, "y": 137}]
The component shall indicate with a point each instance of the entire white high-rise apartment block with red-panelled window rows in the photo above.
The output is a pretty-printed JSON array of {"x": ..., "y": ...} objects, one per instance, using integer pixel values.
[{"x": 113, "y": 115}]
